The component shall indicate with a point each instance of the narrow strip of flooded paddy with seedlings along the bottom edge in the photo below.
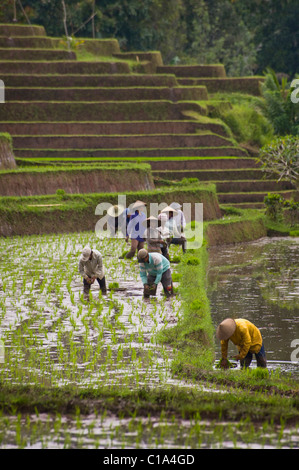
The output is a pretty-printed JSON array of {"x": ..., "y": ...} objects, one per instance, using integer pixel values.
[{"x": 101, "y": 432}]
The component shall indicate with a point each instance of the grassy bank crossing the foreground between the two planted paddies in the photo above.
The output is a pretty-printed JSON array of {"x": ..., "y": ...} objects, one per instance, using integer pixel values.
[{"x": 146, "y": 402}]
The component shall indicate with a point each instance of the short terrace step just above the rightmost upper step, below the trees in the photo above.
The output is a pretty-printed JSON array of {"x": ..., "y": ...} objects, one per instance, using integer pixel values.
[{"x": 198, "y": 71}]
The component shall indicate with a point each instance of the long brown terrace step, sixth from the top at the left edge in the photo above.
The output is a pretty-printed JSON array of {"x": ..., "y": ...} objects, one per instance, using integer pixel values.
[{"x": 105, "y": 94}]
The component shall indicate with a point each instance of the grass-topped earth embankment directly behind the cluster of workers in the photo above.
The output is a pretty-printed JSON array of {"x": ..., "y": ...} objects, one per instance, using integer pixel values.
[{"x": 76, "y": 213}]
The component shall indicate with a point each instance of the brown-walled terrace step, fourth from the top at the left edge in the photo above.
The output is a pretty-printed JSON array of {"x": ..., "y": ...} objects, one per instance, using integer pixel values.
[{"x": 63, "y": 67}]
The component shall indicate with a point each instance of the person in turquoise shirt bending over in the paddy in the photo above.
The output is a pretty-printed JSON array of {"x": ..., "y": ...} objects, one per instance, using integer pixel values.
[{"x": 154, "y": 268}]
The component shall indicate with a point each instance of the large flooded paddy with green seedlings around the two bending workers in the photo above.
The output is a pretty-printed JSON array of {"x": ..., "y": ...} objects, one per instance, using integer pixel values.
[{"x": 53, "y": 337}]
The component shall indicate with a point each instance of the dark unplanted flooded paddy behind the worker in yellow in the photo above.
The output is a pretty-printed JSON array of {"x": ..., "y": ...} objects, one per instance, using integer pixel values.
[{"x": 259, "y": 281}]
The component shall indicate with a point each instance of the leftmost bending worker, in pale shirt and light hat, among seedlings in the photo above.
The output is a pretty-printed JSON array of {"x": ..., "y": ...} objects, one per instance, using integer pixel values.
[{"x": 91, "y": 269}]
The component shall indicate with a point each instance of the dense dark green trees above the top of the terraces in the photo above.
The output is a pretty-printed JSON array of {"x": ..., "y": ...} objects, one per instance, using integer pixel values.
[{"x": 245, "y": 35}]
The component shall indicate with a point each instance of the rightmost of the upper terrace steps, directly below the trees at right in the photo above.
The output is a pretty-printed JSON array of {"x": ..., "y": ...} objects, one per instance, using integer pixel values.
[{"x": 250, "y": 85}]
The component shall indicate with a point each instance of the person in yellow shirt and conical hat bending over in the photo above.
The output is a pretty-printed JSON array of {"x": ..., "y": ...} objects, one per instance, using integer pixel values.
[{"x": 248, "y": 339}]
